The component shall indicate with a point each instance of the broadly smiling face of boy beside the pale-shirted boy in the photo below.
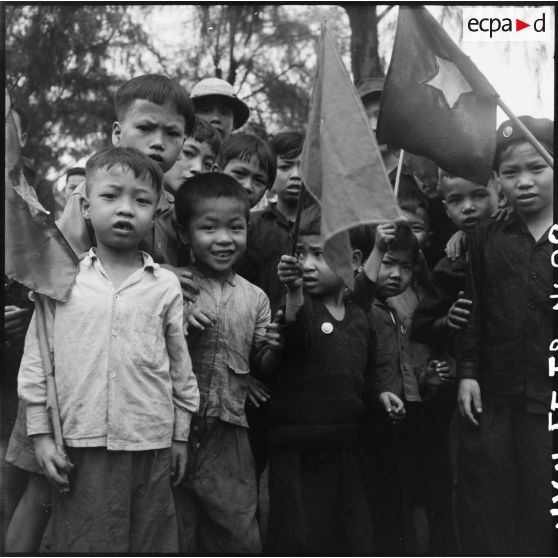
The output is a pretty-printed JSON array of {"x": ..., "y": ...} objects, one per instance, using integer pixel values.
[{"x": 217, "y": 234}]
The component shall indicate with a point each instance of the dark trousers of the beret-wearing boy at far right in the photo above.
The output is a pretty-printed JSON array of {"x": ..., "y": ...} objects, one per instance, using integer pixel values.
[{"x": 504, "y": 486}]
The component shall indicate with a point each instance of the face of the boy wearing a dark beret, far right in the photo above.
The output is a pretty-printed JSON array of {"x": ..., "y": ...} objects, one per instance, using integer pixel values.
[{"x": 526, "y": 179}]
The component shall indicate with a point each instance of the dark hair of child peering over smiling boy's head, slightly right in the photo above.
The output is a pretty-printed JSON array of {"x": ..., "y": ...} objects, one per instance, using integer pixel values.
[{"x": 246, "y": 147}]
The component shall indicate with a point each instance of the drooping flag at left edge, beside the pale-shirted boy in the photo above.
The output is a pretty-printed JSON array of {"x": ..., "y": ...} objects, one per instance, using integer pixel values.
[{"x": 36, "y": 253}]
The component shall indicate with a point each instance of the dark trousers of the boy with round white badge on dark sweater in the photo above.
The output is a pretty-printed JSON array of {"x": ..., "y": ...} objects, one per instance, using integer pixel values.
[{"x": 317, "y": 504}]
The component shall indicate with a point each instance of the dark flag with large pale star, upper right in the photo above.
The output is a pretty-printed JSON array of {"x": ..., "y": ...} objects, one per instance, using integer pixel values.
[{"x": 435, "y": 101}]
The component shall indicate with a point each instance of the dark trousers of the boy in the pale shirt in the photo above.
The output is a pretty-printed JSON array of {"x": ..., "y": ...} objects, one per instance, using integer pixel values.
[{"x": 119, "y": 502}]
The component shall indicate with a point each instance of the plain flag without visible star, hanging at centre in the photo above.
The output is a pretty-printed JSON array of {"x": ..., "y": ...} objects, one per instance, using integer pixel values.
[{"x": 341, "y": 165}]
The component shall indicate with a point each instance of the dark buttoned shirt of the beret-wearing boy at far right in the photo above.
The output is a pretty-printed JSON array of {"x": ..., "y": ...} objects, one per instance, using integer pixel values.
[{"x": 505, "y": 342}]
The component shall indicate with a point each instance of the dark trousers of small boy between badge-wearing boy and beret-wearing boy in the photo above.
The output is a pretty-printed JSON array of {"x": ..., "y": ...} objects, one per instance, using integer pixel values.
[{"x": 403, "y": 465}]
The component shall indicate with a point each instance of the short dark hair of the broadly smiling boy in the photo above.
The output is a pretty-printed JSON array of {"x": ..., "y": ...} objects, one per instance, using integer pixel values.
[{"x": 208, "y": 185}]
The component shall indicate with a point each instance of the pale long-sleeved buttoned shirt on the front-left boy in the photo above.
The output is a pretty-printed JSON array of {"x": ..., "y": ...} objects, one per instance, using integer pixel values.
[{"x": 122, "y": 369}]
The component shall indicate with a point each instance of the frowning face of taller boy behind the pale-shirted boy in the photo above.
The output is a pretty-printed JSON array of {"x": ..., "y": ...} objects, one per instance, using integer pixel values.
[{"x": 156, "y": 130}]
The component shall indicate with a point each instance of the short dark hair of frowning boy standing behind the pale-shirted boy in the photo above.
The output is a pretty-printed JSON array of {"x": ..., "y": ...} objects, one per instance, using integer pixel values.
[{"x": 158, "y": 90}]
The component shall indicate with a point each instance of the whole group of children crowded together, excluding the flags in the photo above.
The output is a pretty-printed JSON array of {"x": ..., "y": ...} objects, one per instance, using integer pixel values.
[{"x": 199, "y": 346}]
